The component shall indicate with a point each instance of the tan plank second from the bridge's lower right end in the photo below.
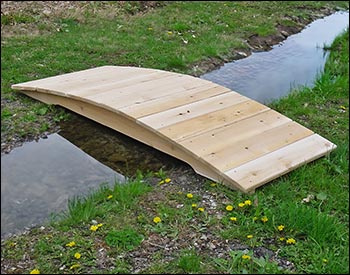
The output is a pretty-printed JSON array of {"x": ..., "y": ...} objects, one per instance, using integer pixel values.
[{"x": 237, "y": 153}]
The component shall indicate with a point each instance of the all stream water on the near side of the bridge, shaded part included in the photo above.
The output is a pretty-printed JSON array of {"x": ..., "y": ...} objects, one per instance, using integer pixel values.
[{"x": 38, "y": 178}]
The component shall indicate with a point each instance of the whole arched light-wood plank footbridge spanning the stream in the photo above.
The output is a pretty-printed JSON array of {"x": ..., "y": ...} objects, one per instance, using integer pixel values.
[{"x": 223, "y": 135}]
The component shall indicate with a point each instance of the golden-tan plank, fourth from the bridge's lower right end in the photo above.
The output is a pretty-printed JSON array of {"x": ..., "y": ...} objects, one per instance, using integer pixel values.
[{"x": 209, "y": 121}]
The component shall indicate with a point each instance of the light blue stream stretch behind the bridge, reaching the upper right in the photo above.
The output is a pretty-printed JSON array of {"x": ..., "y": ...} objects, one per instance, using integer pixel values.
[{"x": 264, "y": 76}]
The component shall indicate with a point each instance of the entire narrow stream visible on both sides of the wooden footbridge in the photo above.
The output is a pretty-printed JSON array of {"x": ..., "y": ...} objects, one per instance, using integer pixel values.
[{"x": 38, "y": 178}]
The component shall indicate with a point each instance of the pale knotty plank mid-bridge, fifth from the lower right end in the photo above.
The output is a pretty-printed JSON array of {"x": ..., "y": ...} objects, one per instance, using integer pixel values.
[{"x": 185, "y": 112}]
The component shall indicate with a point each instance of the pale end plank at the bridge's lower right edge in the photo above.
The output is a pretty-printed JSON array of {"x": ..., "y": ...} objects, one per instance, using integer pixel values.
[{"x": 277, "y": 163}]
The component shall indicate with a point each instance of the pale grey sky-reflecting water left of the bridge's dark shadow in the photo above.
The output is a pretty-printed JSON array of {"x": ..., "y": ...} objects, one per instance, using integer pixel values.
[{"x": 39, "y": 177}]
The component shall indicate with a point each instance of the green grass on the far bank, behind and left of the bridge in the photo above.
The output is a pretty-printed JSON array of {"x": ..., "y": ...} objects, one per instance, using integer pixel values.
[{"x": 176, "y": 37}]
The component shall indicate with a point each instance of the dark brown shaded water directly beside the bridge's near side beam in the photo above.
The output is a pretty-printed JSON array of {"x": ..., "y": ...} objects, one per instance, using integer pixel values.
[{"x": 119, "y": 152}]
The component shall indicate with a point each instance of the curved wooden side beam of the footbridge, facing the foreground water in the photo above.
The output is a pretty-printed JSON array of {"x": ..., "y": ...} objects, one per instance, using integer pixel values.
[{"x": 130, "y": 127}]
